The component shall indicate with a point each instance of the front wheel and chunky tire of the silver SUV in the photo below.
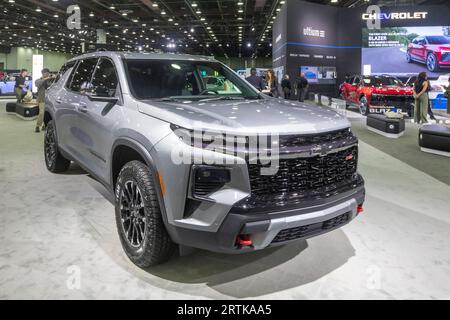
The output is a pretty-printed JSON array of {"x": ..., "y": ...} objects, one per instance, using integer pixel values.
[{"x": 138, "y": 216}]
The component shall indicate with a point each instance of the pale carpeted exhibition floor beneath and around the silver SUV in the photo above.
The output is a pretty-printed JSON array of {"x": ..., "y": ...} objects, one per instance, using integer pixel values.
[{"x": 58, "y": 229}]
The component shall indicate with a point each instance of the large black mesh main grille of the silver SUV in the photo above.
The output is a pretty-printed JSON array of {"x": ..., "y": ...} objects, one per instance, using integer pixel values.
[{"x": 301, "y": 179}]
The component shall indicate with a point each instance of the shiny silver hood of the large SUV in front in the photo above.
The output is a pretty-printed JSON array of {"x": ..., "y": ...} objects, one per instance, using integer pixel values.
[{"x": 247, "y": 116}]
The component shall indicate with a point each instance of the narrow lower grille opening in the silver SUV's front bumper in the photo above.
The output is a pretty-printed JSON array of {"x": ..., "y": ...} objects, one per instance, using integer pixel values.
[{"x": 312, "y": 229}]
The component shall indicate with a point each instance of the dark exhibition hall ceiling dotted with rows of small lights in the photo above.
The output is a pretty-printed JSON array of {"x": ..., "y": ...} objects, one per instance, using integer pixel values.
[{"x": 212, "y": 27}]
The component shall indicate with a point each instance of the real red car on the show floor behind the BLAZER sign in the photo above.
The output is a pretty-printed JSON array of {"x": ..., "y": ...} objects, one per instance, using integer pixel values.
[{"x": 378, "y": 94}]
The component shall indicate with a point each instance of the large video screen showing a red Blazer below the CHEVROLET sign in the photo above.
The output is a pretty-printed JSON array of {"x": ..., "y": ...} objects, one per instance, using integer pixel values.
[{"x": 406, "y": 51}]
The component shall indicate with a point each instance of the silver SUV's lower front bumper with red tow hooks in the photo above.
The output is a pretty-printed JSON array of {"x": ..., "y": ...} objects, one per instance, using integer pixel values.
[{"x": 240, "y": 233}]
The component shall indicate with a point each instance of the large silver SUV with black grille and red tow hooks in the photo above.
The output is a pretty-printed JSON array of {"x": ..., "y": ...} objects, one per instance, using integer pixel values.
[{"x": 198, "y": 162}]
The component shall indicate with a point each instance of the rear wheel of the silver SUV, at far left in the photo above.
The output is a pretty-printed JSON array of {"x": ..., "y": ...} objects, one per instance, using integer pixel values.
[{"x": 54, "y": 160}]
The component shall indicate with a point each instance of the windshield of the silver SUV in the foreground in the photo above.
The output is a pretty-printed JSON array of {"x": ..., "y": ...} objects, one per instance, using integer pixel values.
[{"x": 166, "y": 79}]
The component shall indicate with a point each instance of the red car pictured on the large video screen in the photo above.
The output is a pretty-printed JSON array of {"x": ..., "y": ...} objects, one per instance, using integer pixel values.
[{"x": 434, "y": 51}]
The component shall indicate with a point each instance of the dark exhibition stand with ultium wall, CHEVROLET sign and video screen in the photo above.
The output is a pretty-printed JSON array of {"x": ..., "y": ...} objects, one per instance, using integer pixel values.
[{"x": 328, "y": 44}]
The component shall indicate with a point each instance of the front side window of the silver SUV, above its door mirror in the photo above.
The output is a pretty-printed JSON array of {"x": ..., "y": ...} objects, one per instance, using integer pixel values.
[{"x": 105, "y": 79}]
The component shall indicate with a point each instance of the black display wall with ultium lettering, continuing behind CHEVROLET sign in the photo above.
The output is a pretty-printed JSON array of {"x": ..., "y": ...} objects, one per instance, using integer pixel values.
[{"x": 309, "y": 34}]
